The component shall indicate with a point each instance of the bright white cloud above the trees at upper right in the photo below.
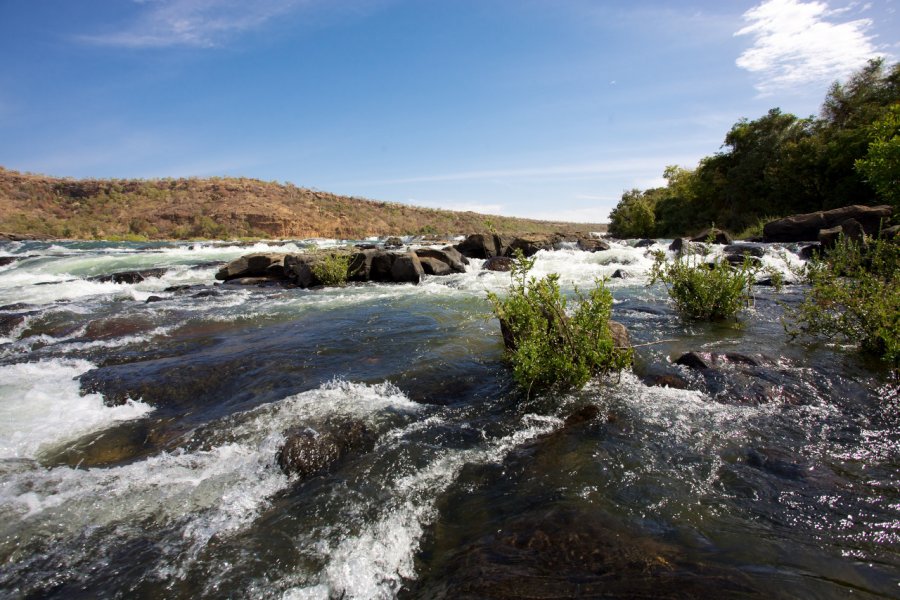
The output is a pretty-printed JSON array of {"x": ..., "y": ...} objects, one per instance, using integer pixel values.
[{"x": 796, "y": 43}]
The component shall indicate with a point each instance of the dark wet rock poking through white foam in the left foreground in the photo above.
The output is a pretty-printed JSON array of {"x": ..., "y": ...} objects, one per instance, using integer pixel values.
[{"x": 308, "y": 452}]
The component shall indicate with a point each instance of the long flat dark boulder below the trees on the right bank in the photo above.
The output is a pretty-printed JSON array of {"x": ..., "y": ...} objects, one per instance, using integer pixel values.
[{"x": 806, "y": 227}]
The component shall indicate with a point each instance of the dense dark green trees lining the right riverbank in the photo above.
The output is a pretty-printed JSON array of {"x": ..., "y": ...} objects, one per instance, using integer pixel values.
[{"x": 780, "y": 164}]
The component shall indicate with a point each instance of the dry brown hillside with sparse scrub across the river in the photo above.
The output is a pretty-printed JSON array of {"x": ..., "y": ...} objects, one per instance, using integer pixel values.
[{"x": 223, "y": 208}]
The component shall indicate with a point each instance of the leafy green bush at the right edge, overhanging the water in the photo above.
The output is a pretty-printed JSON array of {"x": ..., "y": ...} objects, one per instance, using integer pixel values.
[{"x": 854, "y": 296}]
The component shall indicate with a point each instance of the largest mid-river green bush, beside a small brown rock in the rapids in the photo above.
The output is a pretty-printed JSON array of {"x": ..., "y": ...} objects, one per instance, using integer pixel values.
[{"x": 549, "y": 348}]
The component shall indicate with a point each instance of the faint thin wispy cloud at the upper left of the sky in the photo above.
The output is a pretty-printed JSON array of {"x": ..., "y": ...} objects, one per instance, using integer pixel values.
[{"x": 203, "y": 23}]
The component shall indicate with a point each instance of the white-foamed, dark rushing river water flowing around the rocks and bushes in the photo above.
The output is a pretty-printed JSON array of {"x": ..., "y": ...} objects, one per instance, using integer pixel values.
[{"x": 138, "y": 442}]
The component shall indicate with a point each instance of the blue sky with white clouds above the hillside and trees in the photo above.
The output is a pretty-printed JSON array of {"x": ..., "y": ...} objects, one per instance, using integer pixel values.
[{"x": 546, "y": 109}]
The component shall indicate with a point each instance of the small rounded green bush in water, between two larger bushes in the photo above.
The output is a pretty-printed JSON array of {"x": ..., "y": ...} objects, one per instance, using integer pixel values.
[{"x": 705, "y": 291}]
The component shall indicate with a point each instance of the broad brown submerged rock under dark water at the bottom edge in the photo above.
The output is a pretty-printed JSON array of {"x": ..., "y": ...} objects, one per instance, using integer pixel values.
[{"x": 574, "y": 553}]
